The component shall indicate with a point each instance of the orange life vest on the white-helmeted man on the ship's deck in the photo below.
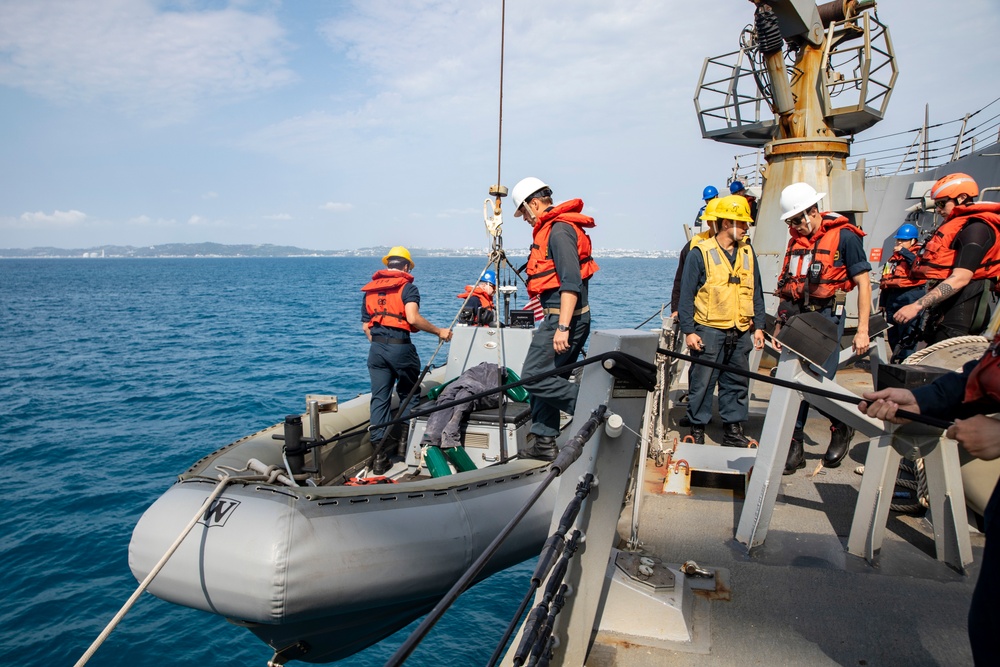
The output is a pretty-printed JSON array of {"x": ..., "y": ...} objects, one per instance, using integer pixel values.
[{"x": 821, "y": 247}]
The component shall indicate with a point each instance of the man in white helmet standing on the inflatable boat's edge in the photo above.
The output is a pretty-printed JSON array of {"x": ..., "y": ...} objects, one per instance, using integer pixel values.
[{"x": 559, "y": 269}]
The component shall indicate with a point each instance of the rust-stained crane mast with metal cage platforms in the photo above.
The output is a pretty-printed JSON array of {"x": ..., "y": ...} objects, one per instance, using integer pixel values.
[{"x": 805, "y": 80}]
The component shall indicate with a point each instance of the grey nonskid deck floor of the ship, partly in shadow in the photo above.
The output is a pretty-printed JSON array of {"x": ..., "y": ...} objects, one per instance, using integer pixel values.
[{"x": 800, "y": 598}]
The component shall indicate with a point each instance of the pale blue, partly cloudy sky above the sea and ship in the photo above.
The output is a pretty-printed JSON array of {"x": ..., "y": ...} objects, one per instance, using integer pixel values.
[{"x": 345, "y": 124}]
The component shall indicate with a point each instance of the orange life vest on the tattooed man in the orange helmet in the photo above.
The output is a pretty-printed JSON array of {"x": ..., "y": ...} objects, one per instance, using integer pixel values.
[{"x": 937, "y": 260}]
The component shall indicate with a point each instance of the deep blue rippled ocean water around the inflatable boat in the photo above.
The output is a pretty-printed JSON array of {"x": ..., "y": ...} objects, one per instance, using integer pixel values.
[{"x": 117, "y": 374}]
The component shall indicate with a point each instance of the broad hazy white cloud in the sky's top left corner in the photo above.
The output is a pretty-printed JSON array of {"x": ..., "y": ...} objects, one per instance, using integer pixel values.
[{"x": 161, "y": 65}]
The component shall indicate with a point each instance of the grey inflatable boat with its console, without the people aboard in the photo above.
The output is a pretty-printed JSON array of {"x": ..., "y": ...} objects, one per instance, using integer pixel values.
[{"x": 322, "y": 571}]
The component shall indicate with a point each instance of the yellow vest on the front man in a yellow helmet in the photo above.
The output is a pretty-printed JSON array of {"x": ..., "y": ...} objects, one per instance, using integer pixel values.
[{"x": 725, "y": 300}]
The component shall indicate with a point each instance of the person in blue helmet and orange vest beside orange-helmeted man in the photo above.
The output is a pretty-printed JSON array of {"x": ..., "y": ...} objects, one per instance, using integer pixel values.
[{"x": 899, "y": 287}]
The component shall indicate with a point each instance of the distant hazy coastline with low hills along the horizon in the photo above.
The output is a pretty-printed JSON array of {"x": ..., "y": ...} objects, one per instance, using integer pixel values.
[{"x": 169, "y": 250}]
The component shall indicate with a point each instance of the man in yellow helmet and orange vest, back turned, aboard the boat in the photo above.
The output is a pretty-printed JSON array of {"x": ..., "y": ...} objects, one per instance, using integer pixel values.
[{"x": 390, "y": 312}]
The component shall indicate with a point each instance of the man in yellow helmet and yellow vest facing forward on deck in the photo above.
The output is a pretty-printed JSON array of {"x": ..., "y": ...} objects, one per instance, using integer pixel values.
[{"x": 721, "y": 314}]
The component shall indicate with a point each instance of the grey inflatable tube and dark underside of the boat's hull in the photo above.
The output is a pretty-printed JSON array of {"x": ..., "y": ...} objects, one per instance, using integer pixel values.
[{"x": 335, "y": 568}]
